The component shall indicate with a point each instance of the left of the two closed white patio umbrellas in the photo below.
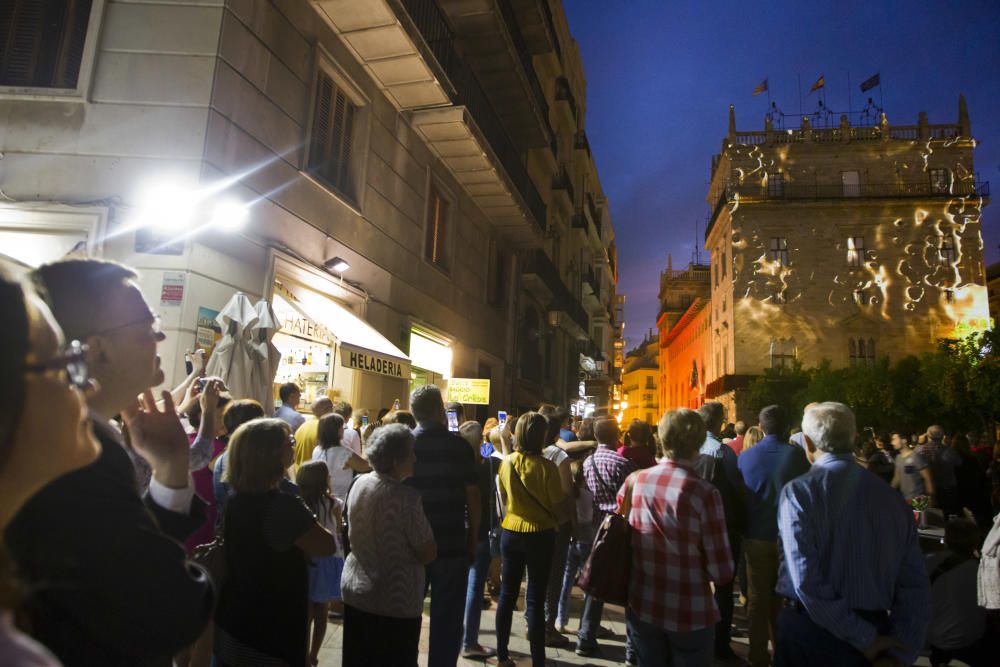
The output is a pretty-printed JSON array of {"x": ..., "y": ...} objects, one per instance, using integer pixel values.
[{"x": 231, "y": 358}]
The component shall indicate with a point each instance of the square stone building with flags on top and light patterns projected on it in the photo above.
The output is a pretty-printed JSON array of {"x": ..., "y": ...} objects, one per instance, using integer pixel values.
[{"x": 846, "y": 243}]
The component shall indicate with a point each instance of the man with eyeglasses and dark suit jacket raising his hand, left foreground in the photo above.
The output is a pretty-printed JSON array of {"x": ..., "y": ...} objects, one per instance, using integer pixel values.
[{"x": 109, "y": 583}]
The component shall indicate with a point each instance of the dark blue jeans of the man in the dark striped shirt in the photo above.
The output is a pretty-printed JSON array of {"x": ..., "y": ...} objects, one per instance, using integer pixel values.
[{"x": 447, "y": 579}]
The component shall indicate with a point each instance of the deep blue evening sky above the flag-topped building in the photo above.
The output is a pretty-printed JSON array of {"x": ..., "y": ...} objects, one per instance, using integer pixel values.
[{"x": 662, "y": 74}]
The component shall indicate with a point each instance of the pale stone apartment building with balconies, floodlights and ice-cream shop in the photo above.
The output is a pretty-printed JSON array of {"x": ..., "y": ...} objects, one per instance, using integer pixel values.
[{"x": 407, "y": 172}]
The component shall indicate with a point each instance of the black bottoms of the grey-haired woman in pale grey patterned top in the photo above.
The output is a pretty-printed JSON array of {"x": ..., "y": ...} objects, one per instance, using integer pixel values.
[{"x": 379, "y": 641}]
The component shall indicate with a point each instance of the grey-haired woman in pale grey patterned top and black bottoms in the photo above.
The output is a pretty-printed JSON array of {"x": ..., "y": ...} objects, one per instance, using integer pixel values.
[{"x": 391, "y": 542}]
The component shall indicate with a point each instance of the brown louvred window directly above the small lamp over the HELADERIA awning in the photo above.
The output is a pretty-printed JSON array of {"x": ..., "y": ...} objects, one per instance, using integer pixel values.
[{"x": 331, "y": 144}]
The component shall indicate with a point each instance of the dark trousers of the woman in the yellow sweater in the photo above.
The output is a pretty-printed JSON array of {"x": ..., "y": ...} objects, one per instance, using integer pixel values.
[{"x": 517, "y": 552}]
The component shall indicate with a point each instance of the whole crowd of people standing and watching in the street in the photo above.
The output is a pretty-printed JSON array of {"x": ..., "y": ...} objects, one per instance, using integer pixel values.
[{"x": 191, "y": 528}]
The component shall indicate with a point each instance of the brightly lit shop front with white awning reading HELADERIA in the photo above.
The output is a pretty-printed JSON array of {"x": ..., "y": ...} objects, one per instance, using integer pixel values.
[{"x": 329, "y": 351}]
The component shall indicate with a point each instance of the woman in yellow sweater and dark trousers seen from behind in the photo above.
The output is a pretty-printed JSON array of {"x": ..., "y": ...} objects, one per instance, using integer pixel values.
[{"x": 530, "y": 489}]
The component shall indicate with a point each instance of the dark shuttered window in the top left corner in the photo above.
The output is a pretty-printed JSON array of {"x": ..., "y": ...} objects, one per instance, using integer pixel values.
[{"x": 41, "y": 42}]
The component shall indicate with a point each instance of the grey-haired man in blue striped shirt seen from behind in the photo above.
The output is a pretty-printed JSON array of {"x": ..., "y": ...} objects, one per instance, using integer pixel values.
[{"x": 853, "y": 573}]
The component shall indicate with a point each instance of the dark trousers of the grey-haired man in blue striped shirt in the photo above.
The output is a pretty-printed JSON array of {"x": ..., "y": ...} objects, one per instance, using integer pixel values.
[{"x": 802, "y": 642}]
